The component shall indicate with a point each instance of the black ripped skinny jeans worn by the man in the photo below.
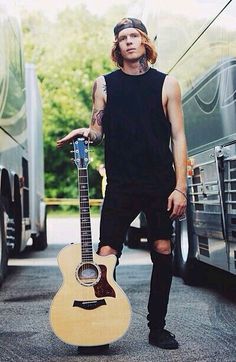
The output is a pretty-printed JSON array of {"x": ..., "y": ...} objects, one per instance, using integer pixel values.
[{"x": 121, "y": 205}]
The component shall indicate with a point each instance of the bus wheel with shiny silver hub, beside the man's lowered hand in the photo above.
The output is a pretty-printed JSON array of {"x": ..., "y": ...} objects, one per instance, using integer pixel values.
[{"x": 185, "y": 262}]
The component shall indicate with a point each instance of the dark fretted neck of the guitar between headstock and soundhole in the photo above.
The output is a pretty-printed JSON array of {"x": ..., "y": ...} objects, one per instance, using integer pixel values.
[{"x": 85, "y": 220}]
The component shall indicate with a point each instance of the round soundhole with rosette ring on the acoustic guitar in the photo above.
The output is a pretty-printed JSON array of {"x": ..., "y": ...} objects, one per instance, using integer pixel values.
[{"x": 88, "y": 274}]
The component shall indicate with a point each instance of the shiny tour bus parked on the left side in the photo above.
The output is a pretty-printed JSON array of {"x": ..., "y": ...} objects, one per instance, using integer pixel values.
[{"x": 22, "y": 207}]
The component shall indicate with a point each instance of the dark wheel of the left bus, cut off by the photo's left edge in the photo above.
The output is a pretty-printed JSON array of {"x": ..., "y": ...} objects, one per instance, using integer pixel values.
[{"x": 3, "y": 246}]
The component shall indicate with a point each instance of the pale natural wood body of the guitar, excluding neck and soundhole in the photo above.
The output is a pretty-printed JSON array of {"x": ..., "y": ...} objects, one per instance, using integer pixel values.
[{"x": 88, "y": 315}]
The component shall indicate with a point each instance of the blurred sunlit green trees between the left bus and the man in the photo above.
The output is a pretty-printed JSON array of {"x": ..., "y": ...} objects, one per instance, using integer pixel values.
[{"x": 70, "y": 54}]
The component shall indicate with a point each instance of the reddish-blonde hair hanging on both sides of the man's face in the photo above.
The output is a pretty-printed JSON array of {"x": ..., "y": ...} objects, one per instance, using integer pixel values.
[{"x": 151, "y": 52}]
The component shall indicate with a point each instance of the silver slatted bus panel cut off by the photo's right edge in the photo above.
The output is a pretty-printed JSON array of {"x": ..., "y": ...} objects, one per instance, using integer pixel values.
[{"x": 228, "y": 156}]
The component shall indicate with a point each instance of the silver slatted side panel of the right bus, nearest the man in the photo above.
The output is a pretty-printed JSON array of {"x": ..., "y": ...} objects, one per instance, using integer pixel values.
[{"x": 206, "y": 191}]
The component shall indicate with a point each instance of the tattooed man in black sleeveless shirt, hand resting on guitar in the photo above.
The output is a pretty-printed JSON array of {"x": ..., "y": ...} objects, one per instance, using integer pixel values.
[{"x": 138, "y": 109}]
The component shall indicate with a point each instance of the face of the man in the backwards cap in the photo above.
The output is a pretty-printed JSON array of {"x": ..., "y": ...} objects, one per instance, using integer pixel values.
[{"x": 130, "y": 43}]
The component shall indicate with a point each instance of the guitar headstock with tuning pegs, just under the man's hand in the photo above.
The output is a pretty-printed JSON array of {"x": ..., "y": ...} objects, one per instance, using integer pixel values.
[{"x": 81, "y": 156}]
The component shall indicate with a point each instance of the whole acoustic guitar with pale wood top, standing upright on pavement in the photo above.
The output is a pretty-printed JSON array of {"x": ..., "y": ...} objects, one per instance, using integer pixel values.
[{"x": 90, "y": 309}]
